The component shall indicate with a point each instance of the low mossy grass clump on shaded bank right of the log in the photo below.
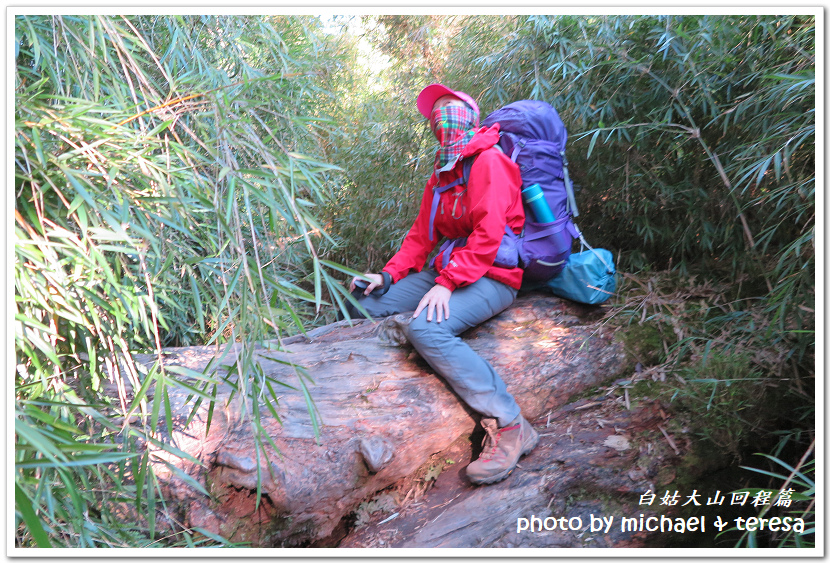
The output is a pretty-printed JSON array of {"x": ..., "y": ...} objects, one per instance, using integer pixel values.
[{"x": 715, "y": 357}]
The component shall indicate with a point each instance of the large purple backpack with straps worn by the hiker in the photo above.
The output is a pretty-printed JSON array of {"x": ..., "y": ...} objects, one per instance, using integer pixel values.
[{"x": 533, "y": 136}]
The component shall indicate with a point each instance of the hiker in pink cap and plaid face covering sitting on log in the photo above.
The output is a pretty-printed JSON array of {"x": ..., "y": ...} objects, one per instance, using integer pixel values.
[{"x": 463, "y": 286}]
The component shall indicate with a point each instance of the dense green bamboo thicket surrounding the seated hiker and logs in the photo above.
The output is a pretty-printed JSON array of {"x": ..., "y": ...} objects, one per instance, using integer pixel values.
[{"x": 173, "y": 186}]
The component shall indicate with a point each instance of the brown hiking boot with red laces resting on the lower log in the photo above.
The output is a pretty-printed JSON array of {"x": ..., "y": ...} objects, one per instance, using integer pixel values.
[{"x": 502, "y": 449}]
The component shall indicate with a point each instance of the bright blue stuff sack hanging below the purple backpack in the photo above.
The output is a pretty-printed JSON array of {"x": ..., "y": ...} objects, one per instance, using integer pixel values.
[{"x": 589, "y": 276}]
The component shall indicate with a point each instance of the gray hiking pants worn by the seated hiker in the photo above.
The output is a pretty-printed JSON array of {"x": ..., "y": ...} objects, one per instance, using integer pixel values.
[{"x": 470, "y": 375}]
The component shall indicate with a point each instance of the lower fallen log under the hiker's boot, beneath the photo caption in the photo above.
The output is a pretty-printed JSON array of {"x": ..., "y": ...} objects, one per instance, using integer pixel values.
[{"x": 596, "y": 456}]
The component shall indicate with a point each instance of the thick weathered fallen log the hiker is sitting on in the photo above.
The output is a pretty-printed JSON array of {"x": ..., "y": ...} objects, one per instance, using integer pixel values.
[{"x": 383, "y": 412}]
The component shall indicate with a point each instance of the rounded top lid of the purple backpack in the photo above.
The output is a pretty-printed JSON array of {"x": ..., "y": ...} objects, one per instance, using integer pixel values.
[{"x": 532, "y": 119}]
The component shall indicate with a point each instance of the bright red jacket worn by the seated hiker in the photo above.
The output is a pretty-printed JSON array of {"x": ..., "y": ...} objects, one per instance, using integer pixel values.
[{"x": 491, "y": 200}]
